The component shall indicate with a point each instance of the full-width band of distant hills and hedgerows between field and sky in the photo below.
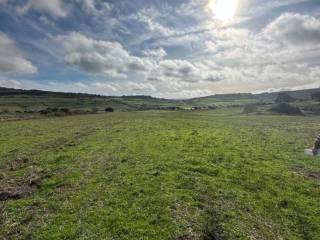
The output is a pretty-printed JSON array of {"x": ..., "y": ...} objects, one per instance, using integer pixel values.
[{"x": 25, "y": 104}]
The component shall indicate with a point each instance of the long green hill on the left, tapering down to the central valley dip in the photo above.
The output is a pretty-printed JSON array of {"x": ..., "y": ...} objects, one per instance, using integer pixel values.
[{"x": 16, "y": 100}]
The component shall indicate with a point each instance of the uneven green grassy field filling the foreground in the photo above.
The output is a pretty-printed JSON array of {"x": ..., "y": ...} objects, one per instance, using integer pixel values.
[{"x": 160, "y": 175}]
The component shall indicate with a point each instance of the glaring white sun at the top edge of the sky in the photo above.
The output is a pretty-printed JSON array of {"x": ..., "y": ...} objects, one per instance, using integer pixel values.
[{"x": 223, "y": 10}]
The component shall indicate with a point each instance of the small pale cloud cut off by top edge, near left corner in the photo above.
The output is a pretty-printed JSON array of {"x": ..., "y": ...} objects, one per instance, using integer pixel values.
[{"x": 55, "y": 8}]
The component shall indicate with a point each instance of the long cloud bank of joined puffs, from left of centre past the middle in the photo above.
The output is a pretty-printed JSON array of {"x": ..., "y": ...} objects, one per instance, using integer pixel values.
[{"x": 111, "y": 58}]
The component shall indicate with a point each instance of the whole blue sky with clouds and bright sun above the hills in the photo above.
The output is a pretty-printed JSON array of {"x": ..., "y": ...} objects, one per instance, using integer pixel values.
[{"x": 162, "y": 48}]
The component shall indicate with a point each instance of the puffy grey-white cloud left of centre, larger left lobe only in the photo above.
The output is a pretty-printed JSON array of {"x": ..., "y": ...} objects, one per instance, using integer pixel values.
[{"x": 99, "y": 57}]
